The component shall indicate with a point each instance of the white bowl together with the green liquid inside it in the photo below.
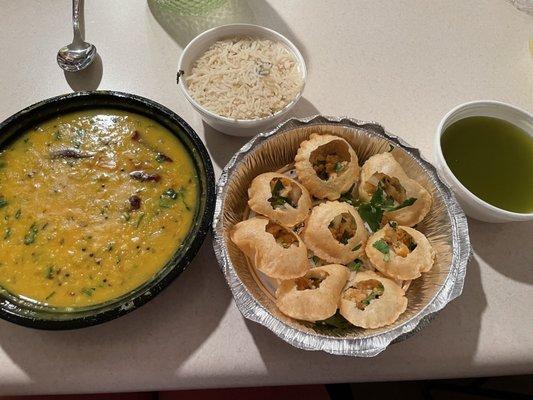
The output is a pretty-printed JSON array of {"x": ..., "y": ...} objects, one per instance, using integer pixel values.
[{"x": 484, "y": 151}]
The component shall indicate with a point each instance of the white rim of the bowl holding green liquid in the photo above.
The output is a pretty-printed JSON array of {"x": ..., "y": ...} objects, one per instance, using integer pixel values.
[{"x": 441, "y": 160}]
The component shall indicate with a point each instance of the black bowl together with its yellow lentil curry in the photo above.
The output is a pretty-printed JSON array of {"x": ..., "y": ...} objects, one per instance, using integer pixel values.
[{"x": 105, "y": 198}]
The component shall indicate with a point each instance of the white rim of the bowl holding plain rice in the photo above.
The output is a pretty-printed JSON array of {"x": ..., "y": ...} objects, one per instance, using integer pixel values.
[{"x": 258, "y": 28}]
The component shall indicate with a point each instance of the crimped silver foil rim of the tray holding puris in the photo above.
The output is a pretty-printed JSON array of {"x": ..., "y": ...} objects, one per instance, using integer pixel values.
[{"x": 368, "y": 346}]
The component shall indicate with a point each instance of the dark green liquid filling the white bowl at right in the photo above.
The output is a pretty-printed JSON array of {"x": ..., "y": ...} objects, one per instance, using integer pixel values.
[{"x": 493, "y": 159}]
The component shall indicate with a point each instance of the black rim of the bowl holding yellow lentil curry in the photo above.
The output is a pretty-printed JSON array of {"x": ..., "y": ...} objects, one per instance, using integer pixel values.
[{"x": 11, "y": 312}]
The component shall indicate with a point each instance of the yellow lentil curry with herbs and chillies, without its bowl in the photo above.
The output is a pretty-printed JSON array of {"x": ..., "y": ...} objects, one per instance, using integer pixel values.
[{"x": 92, "y": 205}]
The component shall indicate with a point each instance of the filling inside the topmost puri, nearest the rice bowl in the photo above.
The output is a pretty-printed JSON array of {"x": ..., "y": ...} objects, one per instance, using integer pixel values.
[{"x": 330, "y": 160}]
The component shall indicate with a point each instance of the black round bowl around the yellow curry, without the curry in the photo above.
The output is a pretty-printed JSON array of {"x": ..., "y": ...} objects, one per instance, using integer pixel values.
[{"x": 23, "y": 312}]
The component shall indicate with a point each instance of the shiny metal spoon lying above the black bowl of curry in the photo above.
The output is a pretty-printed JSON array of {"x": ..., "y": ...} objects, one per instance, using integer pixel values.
[{"x": 79, "y": 54}]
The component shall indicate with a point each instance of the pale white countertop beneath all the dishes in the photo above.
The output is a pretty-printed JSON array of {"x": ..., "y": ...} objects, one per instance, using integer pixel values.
[{"x": 402, "y": 63}]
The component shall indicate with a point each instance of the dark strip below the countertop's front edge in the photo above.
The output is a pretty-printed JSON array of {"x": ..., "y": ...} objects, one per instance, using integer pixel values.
[{"x": 511, "y": 387}]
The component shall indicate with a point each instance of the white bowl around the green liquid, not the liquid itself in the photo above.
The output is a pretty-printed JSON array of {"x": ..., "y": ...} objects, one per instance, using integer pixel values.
[{"x": 473, "y": 205}]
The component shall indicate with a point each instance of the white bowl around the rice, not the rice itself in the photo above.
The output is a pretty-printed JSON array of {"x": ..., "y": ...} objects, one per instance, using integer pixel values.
[{"x": 235, "y": 127}]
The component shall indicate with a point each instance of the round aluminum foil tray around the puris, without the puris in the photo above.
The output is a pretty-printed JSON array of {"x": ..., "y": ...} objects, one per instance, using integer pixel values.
[{"x": 445, "y": 226}]
